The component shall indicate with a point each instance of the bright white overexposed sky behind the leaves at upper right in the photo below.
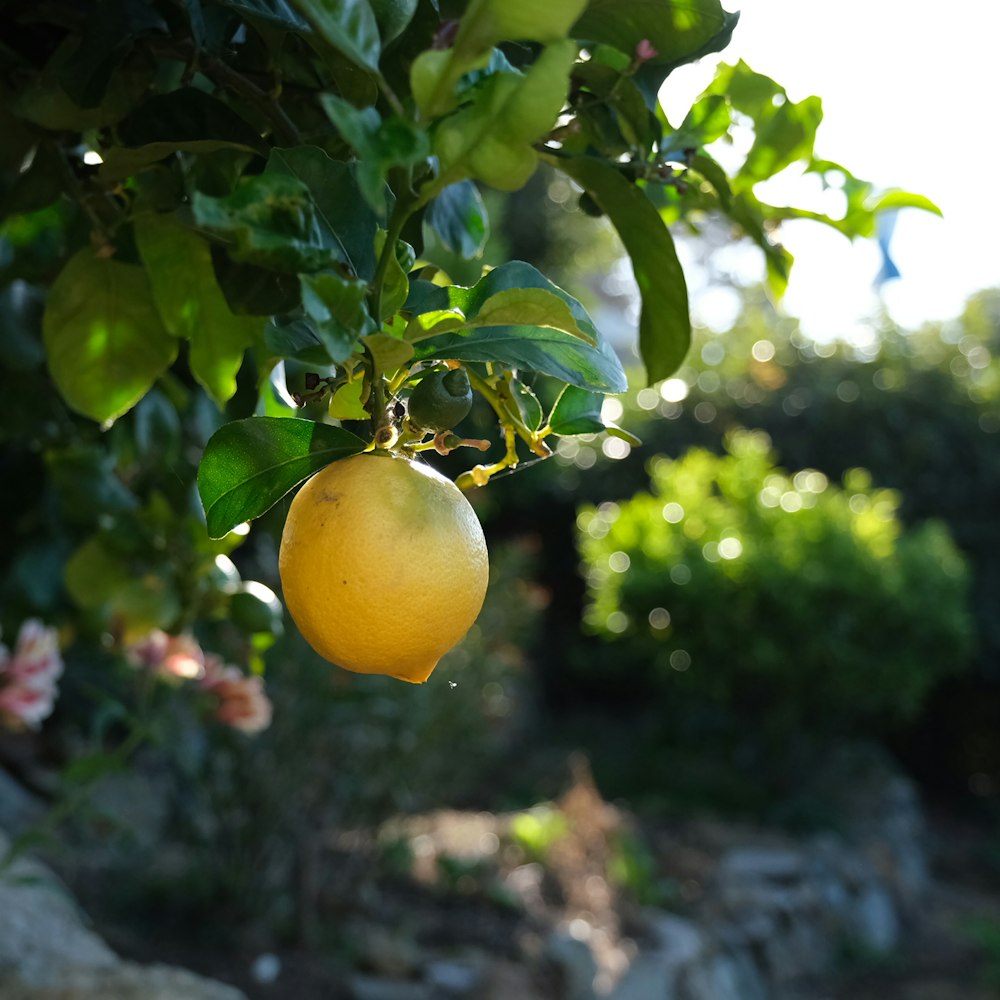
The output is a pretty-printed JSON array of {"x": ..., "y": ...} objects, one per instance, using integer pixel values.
[{"x": 909, "y": 98}]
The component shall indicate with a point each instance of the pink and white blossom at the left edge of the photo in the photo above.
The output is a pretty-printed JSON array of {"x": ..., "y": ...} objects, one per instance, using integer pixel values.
[{"x": 28, "y": 675}]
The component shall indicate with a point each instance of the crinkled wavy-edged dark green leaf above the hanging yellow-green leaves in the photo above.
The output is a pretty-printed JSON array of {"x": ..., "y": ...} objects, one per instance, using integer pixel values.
[{"x": 269, "y": 220}]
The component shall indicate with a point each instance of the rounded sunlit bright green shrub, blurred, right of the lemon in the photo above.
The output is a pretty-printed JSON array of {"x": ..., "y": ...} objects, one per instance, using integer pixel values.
[{"x": 737, "y": 589}]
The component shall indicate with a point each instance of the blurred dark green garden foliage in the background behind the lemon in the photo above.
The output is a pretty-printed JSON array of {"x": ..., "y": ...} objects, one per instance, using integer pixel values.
[{"x": 863, "y": 609}]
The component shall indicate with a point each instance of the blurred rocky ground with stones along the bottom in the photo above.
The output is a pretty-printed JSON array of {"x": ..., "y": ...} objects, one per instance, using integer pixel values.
[{"x": 573, "y": 900}]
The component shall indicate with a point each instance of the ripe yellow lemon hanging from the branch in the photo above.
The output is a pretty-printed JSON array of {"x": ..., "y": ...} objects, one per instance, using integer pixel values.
[{"x": 383, "y": 564}]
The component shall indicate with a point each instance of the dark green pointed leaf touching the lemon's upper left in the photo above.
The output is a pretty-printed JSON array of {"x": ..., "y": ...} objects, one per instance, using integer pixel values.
[{"x": 249, "y": 465}]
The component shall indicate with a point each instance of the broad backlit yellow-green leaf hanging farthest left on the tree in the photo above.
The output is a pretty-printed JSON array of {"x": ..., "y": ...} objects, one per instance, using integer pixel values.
[{"x": 102, "y": 332}]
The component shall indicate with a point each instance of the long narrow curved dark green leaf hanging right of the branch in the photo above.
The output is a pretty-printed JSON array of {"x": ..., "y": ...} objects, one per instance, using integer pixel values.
[{"x": 664, "y": 325}]
